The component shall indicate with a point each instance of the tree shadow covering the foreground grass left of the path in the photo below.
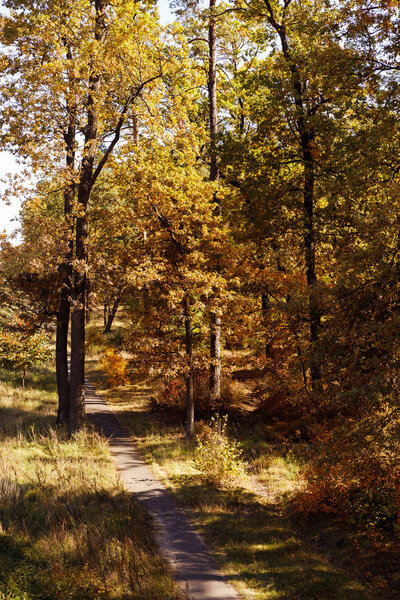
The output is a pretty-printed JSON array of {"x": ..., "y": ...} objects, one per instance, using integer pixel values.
[{"x": 79, "y": 544}]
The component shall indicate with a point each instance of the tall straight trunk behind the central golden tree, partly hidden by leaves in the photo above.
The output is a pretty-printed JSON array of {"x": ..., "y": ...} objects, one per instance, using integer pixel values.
[{"x": 215, "y": 319}]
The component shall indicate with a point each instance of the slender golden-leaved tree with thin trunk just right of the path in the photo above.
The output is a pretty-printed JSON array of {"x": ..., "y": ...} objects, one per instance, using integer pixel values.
[{"x": 168, "y": 200}]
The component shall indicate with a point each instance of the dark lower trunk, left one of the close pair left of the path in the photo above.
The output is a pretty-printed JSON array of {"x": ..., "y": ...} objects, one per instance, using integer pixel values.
[{"x": 62, "y": 357}]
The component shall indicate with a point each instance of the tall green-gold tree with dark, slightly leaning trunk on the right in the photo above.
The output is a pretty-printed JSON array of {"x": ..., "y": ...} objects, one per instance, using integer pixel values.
[{"x": 297, "y": 97}]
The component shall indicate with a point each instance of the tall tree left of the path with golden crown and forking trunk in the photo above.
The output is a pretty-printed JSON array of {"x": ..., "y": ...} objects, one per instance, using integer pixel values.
[{"x": 75, "y": 69}]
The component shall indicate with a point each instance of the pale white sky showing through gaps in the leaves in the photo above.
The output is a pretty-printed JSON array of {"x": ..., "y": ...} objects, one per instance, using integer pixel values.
[{"x": 8, "y": 163}]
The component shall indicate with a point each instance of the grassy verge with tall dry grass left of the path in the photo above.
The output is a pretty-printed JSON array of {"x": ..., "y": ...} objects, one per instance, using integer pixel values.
[{"x": 67, "y": 528}]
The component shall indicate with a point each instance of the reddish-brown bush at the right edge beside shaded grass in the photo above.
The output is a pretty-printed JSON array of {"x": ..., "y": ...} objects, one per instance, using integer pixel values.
[{"x": 354, "y": 482}]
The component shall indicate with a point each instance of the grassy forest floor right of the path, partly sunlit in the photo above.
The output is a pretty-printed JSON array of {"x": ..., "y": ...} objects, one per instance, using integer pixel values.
[{"x": 260, "y": 540}]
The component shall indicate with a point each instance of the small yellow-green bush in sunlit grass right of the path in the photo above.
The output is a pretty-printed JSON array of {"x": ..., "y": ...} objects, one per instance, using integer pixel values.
[{"x": 218, "y": 458}]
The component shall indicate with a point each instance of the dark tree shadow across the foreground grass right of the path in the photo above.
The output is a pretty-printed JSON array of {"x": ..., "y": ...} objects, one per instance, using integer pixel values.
[{"x": 264, "y": 544}]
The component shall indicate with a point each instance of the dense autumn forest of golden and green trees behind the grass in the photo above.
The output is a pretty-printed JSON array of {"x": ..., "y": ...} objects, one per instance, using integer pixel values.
[{"x": 216, "y": 213}]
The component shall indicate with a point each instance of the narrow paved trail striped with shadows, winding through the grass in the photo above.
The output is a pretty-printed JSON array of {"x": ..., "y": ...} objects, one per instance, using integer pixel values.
[{"x": 182, "y": 548}]
